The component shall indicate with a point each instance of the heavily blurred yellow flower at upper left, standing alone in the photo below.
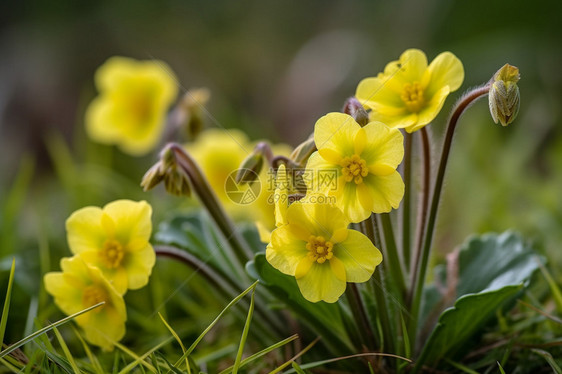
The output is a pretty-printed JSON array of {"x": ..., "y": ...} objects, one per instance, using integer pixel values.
[{"x": 130, "y": 110}]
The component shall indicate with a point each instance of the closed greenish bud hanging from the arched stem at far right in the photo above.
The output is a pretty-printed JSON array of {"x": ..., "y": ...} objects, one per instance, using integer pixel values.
[{"x": 504, "y": 95}]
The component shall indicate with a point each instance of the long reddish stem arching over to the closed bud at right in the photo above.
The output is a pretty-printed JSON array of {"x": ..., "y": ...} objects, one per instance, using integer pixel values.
[{"x": 420, "y": 268}]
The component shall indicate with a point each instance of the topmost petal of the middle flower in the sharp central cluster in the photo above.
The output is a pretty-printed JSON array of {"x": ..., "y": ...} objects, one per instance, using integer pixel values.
[{"x": 336, "y": 131}]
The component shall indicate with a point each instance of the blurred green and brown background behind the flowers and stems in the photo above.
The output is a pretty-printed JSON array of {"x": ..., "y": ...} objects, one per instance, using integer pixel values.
[{"x": 274, "y": 68}]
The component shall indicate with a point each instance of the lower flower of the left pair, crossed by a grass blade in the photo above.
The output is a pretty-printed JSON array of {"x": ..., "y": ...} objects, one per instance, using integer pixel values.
[{"x": 80, "y": 286}]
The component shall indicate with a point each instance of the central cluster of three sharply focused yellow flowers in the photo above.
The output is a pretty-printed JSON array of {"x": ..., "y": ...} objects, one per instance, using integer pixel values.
[{"x": 312, "y": 241}]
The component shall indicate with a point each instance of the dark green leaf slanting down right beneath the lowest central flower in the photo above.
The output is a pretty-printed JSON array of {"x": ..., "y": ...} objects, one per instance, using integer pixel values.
[{"x": 324, "y": 318}]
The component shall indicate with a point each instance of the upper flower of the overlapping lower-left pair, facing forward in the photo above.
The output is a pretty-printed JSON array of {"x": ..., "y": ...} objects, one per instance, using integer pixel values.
[{"x": 115, "y": 239}]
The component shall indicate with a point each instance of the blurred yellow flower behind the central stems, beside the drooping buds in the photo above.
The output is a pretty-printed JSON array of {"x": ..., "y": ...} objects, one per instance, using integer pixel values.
[{"x": 220, "y": 153}]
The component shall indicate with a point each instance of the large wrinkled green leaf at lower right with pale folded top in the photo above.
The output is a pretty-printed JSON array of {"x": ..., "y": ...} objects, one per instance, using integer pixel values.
[{"x": 493, "y": 269}]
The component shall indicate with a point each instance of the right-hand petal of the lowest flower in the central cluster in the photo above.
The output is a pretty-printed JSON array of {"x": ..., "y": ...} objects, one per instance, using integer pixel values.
[{"x": 359, "y": 256}]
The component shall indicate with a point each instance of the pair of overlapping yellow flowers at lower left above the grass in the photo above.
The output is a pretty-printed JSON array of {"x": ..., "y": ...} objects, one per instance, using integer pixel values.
[{"x": 112, "y": 254}]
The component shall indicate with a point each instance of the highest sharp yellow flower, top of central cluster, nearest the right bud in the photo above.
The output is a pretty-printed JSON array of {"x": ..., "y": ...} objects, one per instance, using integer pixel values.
[{"x": 410, "y": 94}]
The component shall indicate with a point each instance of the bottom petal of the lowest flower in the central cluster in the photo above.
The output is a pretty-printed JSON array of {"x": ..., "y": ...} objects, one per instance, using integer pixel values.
[{"x": 320, "y": 283}]
